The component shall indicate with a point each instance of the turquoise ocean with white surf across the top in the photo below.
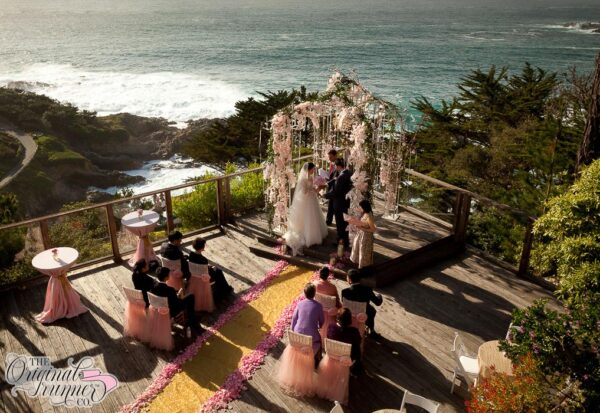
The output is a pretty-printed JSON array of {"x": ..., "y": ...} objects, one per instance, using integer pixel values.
[{"x": 191, "y": 59}]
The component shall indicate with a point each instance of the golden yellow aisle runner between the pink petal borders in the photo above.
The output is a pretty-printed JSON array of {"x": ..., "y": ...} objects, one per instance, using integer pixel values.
[{"x": 220, "y": 355}]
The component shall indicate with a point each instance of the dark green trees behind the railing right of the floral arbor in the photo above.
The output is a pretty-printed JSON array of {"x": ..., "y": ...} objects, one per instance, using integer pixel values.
[{"x": 509, "y": 137}]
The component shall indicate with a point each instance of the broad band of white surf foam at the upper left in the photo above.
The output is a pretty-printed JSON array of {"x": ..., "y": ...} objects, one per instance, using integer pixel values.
[{"x": 178, "y": 97}]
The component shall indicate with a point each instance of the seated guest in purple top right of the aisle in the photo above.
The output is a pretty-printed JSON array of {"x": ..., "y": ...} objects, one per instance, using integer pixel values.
[{"x": 308, "y": 318}]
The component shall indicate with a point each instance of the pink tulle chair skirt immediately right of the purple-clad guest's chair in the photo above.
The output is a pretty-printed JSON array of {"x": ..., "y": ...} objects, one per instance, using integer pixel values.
[{"x": 333, "y": 376}]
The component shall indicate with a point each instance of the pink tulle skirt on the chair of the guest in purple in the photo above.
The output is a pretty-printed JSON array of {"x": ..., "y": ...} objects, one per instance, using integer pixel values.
[{"x": 296, "y": 371}]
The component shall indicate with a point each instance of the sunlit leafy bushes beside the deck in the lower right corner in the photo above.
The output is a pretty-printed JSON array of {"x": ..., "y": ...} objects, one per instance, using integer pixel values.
[{"x": 560, "y": 348}]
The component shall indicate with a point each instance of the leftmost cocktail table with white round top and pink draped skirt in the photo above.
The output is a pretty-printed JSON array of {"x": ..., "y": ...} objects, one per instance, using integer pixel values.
[{"x": 61, "y": 299}]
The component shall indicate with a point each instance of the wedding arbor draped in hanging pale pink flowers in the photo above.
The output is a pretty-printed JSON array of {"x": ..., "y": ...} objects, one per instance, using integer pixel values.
[{"x": 369, "y": 131}]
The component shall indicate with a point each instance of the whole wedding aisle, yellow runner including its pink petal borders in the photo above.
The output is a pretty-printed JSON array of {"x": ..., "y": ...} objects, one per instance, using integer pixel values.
[{"x": 230, "y": 353}]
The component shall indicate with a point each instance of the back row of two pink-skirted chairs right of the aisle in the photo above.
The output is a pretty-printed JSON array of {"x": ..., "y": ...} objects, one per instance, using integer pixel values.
[{"x": 296, "y": 373}]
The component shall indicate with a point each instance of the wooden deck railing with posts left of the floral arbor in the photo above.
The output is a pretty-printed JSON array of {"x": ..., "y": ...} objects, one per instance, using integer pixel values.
[{"x": 223, "y": 203}]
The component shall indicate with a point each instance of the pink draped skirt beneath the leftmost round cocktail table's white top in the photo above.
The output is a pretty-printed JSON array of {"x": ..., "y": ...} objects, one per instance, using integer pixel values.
[{"x": 61, "y": 300}]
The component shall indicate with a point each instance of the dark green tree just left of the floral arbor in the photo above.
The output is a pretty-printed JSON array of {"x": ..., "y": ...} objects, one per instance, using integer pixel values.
[{"x": 239, "y": 135}]
